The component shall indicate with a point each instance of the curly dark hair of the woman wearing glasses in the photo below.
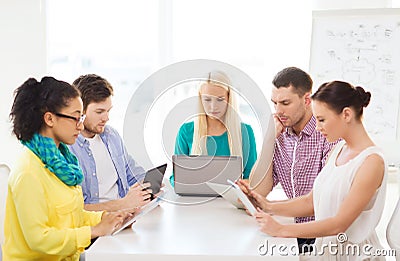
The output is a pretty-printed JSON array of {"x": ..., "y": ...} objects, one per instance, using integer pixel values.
[{"x": 33, "y": 99}]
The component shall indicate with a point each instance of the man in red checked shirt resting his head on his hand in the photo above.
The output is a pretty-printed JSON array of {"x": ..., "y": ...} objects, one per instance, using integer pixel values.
[{"x": 300, "y": 150}]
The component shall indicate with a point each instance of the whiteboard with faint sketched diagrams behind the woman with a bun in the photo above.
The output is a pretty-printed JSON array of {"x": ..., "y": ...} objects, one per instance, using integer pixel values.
[{"x": 361, "y": 47}]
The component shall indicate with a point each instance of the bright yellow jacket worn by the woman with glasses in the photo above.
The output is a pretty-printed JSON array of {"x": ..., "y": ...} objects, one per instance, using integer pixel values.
[{"x": 44, "y": 219}]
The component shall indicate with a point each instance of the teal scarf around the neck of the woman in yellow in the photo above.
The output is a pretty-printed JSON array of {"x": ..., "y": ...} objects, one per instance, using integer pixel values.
[{"x": 59, "y": 160}]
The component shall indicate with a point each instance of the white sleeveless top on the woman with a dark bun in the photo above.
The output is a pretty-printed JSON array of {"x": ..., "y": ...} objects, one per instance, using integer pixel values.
[{"x": 330, "y": 189}]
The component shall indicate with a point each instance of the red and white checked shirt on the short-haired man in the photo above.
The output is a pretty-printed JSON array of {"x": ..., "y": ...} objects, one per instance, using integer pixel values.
[{"x": 298, "y": 160}]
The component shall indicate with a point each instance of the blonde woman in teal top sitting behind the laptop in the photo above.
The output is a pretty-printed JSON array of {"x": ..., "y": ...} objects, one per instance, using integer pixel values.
[{"x": 217, "y": 129}]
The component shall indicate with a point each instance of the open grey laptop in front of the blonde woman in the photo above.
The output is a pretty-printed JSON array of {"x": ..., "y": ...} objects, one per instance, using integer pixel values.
[{"x": 192, "y": 172}]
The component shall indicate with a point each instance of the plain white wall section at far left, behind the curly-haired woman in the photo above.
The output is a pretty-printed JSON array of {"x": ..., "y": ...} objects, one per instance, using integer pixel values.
[{"x": 22, "y": 55}]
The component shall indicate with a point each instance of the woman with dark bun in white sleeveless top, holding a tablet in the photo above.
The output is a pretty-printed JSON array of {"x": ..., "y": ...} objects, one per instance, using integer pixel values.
[{"x": 348, "y": 195}]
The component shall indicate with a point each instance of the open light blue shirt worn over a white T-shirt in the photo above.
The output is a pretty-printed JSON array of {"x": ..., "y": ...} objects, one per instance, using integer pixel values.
[{"x": 128, "y": 171}]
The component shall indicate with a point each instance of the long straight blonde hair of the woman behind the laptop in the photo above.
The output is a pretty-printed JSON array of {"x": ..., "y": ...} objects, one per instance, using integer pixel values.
[{"x": 231, "y": 120}]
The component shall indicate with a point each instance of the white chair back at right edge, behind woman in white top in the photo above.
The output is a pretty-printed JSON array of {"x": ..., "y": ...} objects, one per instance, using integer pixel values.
[{"x": 393, "y": 230}]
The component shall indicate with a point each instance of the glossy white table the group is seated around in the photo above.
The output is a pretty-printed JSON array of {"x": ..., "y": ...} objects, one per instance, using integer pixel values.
[{"x": 190, "y": 228}]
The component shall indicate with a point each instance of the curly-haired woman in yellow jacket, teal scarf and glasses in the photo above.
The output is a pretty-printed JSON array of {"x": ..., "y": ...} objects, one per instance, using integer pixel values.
[{"x": 45, "y": 219}]
